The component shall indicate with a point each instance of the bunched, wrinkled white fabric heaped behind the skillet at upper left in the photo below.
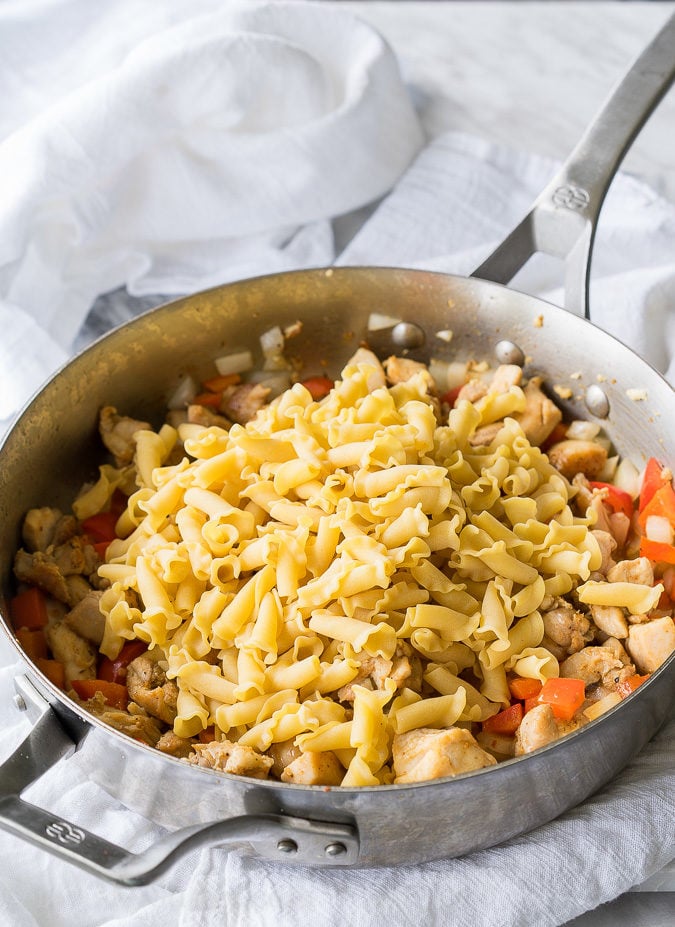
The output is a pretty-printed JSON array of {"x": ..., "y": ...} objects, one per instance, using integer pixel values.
[{"x": 173, "y": 146}]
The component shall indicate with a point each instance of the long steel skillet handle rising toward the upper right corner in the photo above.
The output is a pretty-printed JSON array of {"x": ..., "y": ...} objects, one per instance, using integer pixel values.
[{"x": 563, "y": 219}]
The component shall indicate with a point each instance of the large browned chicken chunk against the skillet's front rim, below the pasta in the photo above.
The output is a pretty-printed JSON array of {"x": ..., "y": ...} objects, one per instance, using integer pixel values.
[{"x": 427, "y": 753}]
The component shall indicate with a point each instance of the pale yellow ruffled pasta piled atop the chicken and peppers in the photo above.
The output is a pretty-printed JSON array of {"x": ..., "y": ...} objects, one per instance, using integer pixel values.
[{"x": 275, "y": 556}]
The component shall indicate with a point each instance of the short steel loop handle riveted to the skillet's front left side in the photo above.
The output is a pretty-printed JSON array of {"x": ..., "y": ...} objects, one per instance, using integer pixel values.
[{"x": 275, "y": 836}]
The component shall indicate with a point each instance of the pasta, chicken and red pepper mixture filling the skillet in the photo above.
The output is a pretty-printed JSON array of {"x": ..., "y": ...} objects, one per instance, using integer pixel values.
[{"x": 354, "y": 583}]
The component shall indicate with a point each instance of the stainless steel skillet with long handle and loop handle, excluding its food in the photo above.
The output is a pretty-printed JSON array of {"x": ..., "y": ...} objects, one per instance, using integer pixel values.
[{"x": 53, "y": 448}]
